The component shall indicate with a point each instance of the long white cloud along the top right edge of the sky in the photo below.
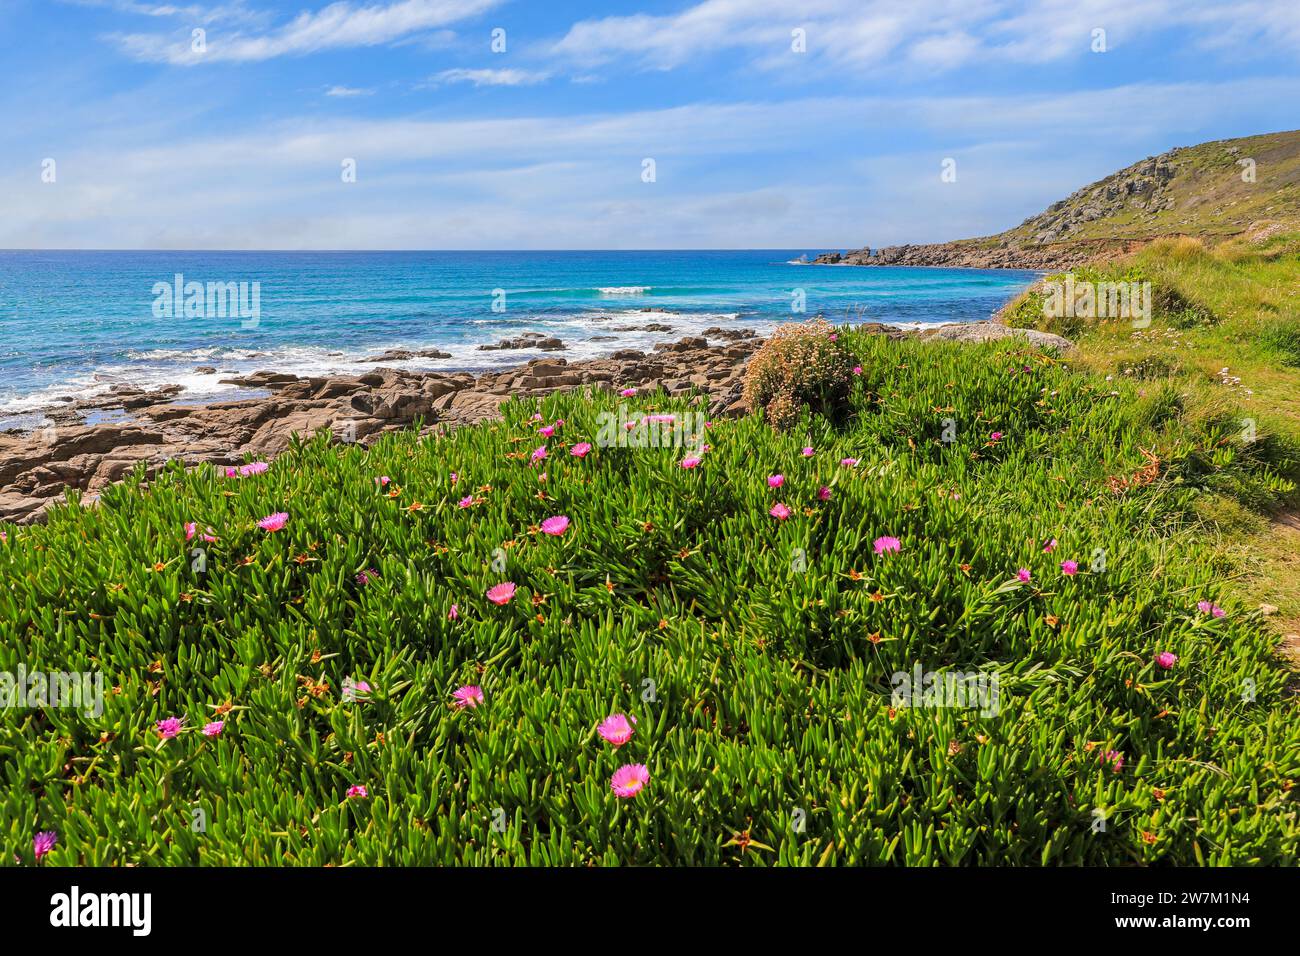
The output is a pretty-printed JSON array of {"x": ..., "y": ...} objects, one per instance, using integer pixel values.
[{"x": 935, "y": 34}]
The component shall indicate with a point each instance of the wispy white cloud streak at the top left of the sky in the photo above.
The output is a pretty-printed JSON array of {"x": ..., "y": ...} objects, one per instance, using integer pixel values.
[{"x": 337, "y": 27}]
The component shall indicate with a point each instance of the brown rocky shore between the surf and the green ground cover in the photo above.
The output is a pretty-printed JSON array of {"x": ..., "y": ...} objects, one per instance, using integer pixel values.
[{"x": 153, "y": 429}]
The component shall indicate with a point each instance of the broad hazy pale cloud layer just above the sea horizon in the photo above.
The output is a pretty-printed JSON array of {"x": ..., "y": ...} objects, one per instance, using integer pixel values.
[{"x": 843, "y": 171}]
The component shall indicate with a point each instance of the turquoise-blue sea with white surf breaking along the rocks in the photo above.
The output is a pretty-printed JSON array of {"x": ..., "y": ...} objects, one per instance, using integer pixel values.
[{"x": 75, "y": 325}]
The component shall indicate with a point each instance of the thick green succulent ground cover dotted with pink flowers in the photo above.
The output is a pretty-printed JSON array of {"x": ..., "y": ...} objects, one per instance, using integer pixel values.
[{"x": 742, "y": 644}]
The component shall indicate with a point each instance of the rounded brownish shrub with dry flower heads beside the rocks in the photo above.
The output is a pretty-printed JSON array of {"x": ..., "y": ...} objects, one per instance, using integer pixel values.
[{"x": 804, "y": 365}]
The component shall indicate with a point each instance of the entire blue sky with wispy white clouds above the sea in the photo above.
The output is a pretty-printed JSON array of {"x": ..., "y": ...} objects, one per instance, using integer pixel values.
[{"x": 242, "y": 142}]
